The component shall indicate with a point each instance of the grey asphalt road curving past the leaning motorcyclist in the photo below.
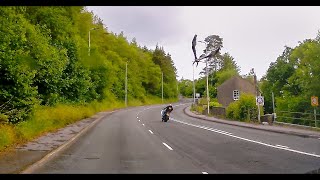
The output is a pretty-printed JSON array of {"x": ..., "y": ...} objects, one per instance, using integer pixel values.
[{"x": 136, "y": 141}]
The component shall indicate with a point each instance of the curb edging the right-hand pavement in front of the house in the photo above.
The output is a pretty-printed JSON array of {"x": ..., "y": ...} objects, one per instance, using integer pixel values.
[{"x": 270, "y": 130}]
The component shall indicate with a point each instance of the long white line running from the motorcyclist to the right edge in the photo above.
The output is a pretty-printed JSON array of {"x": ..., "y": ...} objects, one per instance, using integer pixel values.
[{"x": 249, "y": 140}]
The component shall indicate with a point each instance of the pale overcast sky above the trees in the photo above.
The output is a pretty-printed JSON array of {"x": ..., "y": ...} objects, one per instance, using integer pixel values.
[{"x": 254, "y": 35}]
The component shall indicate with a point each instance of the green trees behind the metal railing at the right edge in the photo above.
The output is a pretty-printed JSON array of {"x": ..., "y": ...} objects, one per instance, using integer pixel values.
[{"x": 294, "y": 78}]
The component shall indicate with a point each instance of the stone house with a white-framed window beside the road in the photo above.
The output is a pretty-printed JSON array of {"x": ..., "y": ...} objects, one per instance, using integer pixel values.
[{"x": 231, "y": 90}]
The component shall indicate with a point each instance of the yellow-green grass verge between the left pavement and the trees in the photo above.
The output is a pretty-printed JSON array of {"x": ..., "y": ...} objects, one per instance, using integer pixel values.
[{"x": 48, "y": 119}]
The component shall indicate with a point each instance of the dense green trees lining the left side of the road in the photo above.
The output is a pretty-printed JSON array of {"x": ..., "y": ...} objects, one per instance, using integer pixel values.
[{"x": 44, "y": 60}]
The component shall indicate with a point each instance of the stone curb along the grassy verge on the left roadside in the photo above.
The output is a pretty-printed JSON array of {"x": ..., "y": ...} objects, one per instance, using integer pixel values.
[{"x": 56, "y": 151}]
